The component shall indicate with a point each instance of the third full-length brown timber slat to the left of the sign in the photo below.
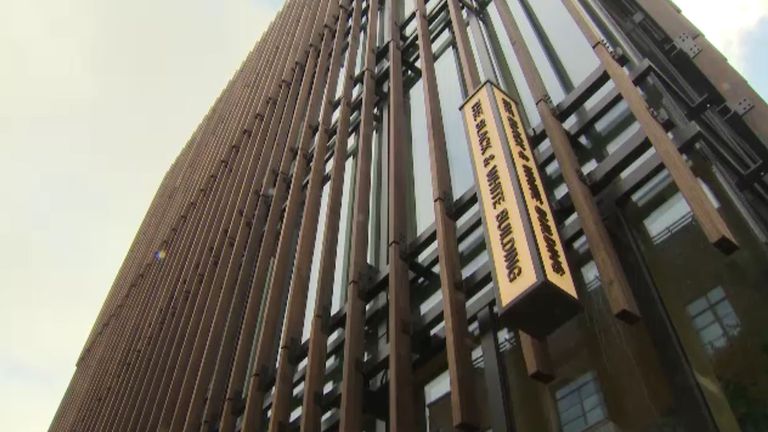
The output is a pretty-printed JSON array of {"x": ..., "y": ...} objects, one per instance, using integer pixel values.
[{"x": 352, "y": 374}]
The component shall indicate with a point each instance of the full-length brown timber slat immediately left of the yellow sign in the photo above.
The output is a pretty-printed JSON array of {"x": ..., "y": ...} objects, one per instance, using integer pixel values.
[{"x": 458, "y": 353}]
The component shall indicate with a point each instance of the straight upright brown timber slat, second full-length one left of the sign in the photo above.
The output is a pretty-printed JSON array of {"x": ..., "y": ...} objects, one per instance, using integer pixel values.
[{"x": 401, "y": 415}]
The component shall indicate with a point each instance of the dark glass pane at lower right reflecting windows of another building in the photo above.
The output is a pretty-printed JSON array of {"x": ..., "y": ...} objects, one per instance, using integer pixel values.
[{"x": 721, "y": 329}]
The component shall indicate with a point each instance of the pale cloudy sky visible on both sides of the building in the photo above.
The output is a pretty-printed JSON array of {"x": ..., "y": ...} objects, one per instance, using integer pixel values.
[{"x": 97, "y": 97}]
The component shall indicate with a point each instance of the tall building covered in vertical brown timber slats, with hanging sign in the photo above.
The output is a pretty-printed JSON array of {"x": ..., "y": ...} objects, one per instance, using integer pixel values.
[{"x": 335, "y": 247}]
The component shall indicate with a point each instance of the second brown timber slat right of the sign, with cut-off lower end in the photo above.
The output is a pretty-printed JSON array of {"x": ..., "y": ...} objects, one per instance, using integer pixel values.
[{"x": 710, "y": 221}]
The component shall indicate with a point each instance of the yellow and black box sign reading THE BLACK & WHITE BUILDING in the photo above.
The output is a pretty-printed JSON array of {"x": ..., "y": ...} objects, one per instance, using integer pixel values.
[{"x": 535, "y": 290}]
